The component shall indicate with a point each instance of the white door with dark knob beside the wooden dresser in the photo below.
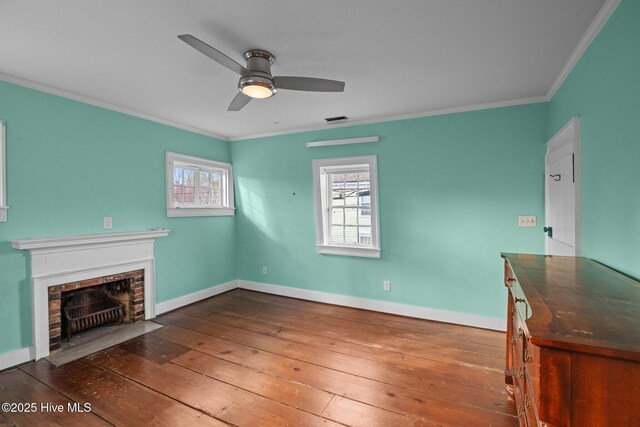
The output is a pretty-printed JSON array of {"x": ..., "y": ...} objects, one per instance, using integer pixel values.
[{"x": 562, "y": 195}]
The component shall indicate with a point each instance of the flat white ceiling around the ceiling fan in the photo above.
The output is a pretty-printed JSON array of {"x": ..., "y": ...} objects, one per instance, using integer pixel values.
[{"x": 398, "y": 58}]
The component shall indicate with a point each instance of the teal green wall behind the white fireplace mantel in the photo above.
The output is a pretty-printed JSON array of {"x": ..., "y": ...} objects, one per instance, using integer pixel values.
[{"x": 70, "y": 164}]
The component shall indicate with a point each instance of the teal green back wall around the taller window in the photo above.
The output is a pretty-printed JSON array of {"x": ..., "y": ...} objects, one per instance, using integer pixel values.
[{"x": 451, "y": 189}]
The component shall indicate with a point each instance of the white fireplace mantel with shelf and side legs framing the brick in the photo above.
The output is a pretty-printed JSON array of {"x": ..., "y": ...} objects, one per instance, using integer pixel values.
[{"x": 59, "y": 260}]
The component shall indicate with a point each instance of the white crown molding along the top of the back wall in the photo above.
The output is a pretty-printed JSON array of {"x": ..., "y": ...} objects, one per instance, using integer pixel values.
[{"x": 382, "y": 119}]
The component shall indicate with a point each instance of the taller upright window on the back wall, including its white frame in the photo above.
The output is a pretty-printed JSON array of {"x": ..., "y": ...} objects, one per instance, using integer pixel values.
[{"x": 346, "y": 210}]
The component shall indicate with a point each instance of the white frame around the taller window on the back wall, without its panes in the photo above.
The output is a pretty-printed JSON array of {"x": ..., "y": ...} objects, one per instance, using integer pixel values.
[{"x": 320, "y": 186}]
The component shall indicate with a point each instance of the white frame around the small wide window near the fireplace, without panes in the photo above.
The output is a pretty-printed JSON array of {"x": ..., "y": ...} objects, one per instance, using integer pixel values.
[{"x": 173, "y": 210}]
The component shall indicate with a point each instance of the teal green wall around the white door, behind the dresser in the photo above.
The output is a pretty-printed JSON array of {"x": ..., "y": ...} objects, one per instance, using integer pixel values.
[{"x": 604, "y": 90}]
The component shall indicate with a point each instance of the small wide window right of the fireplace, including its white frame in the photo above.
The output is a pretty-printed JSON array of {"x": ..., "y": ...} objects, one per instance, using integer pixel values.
[{"x": 198, "y": 187}]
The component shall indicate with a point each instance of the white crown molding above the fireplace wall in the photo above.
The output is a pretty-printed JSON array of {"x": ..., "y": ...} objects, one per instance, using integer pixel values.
[{"x": 102, "y": 104}]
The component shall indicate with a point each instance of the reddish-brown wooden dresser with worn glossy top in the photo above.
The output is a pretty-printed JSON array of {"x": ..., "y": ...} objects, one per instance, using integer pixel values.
[{"x": 573, "y": 342}]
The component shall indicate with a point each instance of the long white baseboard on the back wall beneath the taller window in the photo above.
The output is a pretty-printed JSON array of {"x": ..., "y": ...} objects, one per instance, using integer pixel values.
[{"x": 427, "y": 313}]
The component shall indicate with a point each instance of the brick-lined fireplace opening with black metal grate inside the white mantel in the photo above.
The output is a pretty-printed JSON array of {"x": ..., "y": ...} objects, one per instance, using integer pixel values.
[{"x": 78, "y": 306}]
